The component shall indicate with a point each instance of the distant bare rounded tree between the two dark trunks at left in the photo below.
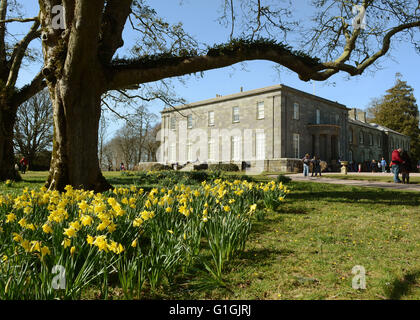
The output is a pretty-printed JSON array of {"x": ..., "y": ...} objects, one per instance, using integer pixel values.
[{"x": 34, "y": 126}]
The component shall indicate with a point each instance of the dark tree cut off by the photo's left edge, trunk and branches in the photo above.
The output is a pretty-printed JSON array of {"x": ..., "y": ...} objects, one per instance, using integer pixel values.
[{"x": 14, "y": 53}]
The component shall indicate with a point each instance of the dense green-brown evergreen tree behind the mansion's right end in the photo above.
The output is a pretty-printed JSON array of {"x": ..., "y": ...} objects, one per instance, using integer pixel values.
[{"x": 398, "y": 110}]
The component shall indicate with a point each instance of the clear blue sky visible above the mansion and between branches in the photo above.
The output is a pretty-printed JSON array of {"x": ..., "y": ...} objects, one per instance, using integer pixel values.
[{"x": 199, "y": 19}]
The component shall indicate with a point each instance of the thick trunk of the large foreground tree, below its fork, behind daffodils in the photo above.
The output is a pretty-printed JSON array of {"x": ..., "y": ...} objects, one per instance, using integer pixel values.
[{"x": 77, "y": 109}]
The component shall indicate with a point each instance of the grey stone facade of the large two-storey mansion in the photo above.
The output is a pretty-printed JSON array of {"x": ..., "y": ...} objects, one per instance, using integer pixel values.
[{"x": 270, "y": 128}]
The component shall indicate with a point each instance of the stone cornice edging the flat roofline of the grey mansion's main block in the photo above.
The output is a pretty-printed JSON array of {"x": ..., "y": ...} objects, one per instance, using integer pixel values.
[{"x": 275, "y": 88}]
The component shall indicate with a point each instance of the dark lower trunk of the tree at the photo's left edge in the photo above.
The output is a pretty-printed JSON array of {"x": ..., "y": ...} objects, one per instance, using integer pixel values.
[{"x": 7, "y": 158}]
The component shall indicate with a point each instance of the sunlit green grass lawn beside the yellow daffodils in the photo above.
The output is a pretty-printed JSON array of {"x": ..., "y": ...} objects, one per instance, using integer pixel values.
[{"x": 307, "y": 249}]
